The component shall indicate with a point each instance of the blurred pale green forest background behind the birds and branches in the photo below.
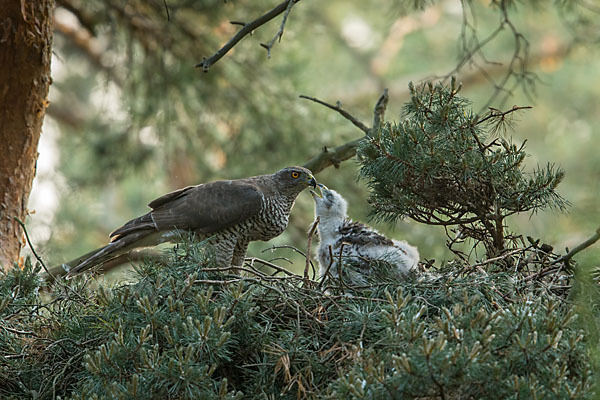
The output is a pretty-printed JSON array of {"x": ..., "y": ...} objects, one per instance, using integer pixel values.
[{"x": 131, "y": 118}]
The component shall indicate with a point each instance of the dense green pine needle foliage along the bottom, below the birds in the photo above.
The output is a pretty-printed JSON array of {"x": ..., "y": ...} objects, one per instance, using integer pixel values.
[{"x": 196, "y": 331}]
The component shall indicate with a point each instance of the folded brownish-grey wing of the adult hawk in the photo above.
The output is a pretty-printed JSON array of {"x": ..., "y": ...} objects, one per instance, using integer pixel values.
[{"x": 204, "y": 208}]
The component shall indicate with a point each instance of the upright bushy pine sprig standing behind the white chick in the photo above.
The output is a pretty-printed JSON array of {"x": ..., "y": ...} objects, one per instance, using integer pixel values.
[{"x": 443, "y": 165}]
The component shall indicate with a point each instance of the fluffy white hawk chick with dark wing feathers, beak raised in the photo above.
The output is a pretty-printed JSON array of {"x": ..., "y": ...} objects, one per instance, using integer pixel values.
[{"x": 359, "y": 247}]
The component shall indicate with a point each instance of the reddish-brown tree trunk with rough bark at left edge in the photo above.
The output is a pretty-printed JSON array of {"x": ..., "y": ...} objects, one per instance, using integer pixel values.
[{"x": 25, "y": 52}]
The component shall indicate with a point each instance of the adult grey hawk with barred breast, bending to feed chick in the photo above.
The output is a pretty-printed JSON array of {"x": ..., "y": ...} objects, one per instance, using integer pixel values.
[{"x": 230, "y": 213}]
